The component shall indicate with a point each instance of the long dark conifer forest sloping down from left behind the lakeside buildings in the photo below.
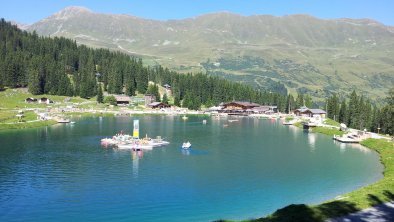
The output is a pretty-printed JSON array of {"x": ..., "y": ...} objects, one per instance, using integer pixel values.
[{"x": 59, "y": 66}]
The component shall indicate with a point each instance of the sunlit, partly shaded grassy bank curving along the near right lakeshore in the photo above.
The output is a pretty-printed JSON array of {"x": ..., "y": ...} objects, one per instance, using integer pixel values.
[{"x": 380, "y": 192}]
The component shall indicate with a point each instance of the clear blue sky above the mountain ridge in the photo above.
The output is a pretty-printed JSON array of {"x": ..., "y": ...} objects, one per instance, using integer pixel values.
[{"x": 32, "y": 11}]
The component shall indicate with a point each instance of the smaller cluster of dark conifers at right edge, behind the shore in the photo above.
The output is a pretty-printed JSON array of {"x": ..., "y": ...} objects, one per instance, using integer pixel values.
[{"x": 360, "y": 113}]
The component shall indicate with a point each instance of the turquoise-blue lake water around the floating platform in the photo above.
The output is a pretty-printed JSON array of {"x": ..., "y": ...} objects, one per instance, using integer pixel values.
[{"x": 245, "y": 170}]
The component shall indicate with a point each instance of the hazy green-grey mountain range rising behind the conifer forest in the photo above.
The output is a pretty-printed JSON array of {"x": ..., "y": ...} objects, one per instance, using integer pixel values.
[{"x": 302, "y": 53}]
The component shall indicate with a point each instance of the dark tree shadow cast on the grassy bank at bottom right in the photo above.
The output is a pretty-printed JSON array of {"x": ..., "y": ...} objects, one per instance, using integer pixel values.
[{"x": 335, "y": 209}]
